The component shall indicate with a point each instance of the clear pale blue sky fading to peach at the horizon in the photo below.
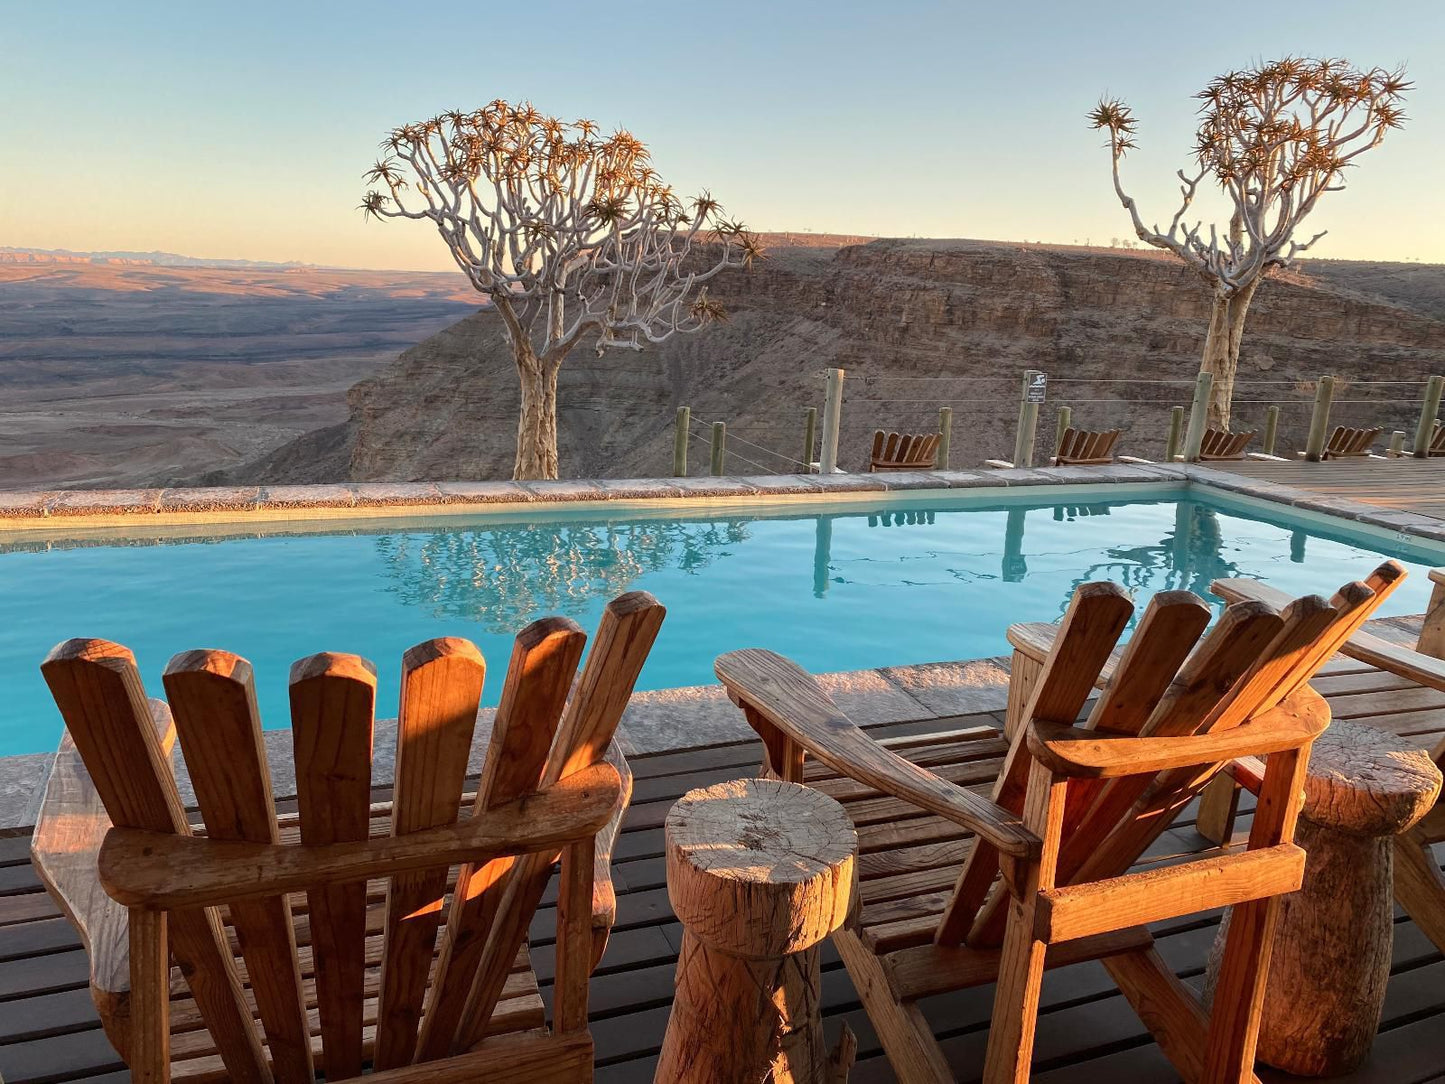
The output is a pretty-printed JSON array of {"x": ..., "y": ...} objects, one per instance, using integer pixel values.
[{"x": 242, "y": 129}]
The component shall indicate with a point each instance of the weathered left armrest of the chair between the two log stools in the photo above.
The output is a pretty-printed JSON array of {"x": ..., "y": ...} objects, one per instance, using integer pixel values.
[{"x": 791, "y": 700}]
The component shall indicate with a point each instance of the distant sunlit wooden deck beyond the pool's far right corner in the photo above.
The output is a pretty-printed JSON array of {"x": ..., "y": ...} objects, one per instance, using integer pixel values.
[{"x": 1405, "y": 485}]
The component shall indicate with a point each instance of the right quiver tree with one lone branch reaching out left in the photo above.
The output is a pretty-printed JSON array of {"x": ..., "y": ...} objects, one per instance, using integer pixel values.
[{"x": 1275, "y": 139}]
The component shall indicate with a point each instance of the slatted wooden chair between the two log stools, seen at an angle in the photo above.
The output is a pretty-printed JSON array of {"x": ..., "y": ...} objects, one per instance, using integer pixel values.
[{"x": 1071, "y": 810}]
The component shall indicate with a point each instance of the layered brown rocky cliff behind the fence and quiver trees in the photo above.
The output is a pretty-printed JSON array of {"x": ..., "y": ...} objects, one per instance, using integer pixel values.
[{"x": 917, "y": 324}]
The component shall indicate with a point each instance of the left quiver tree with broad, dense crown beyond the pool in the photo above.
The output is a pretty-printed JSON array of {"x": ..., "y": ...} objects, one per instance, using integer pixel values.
[{"x": 570, "y": 236}]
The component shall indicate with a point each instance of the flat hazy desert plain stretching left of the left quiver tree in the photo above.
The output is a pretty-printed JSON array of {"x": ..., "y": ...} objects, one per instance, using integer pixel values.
[{"x": 128, "y": 374}]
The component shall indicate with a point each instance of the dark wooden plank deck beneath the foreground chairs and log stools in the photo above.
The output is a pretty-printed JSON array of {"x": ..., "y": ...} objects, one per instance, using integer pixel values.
[{"x": 50, "y": 1033}]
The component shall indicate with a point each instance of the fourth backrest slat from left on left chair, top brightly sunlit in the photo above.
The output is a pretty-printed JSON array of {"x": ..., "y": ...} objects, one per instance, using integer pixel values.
[{"x": 441, "y": 690}]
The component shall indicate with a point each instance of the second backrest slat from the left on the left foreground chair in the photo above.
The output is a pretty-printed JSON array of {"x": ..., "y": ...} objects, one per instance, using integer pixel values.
[{"x": 213, "y": 700}]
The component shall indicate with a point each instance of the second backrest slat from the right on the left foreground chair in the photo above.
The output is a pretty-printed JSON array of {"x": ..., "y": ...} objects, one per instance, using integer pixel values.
[{"x": 544, "y": 664}]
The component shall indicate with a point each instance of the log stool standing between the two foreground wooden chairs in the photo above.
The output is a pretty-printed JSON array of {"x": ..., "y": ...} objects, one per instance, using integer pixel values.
[{"x": 759, "y": 872}]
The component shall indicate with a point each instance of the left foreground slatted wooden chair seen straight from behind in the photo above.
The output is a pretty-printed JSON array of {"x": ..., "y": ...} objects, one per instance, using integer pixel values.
[{"x": 349, "y": 936}]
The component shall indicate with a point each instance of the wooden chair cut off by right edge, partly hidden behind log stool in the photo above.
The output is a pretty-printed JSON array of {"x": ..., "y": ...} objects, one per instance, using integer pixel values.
[{"x": 1420, "y": 887}]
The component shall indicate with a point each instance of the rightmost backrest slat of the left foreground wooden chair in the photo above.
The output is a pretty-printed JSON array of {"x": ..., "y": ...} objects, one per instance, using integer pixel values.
[{"x": 624, "y": 640}]
